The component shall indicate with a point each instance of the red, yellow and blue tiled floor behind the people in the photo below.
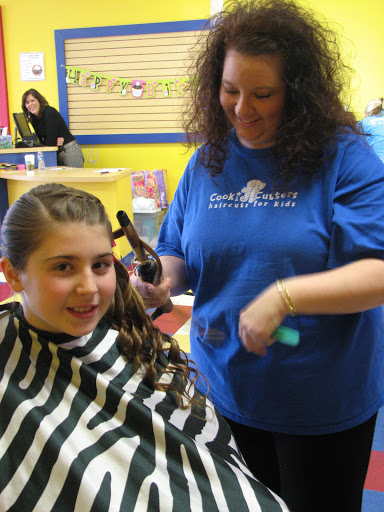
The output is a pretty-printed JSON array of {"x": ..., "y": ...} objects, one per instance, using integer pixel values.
[{"x": 177, "y": 324}]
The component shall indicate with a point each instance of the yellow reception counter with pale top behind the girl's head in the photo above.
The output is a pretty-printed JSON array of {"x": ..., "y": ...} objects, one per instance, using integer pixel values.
[{"x": 111, "y": 186}]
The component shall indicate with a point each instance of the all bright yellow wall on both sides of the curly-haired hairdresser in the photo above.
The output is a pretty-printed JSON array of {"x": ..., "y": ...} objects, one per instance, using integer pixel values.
[{"x": 29, "y": 27}]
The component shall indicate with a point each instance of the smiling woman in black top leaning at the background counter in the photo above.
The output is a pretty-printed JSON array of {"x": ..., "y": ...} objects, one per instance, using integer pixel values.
[{"x": 51, "y": 129}]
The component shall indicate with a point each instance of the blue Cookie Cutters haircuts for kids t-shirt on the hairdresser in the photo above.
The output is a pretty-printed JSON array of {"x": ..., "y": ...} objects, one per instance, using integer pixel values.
[{"x": 237, "y": 235}]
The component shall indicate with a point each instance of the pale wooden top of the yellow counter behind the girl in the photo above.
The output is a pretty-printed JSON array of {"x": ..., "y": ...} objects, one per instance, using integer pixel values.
[{"x": 67, "y": 174}]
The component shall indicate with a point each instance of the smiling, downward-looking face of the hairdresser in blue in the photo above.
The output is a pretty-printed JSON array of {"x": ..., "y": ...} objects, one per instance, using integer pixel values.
[{"x": 252, "y": 94}]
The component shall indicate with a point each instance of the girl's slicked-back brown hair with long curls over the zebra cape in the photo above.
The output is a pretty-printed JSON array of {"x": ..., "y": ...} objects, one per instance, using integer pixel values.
[{"x": 24, "y": 228}]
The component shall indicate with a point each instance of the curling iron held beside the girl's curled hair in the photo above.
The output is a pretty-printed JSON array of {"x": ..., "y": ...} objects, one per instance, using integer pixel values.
[{"x": 150, "y": 270}]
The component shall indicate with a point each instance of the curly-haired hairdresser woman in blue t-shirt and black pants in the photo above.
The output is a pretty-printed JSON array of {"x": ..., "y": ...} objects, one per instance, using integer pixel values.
[{"x": 279, "y": 219}]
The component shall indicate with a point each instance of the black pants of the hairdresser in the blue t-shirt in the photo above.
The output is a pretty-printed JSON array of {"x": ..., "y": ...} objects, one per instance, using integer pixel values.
[{"x": 311, "y": 473}]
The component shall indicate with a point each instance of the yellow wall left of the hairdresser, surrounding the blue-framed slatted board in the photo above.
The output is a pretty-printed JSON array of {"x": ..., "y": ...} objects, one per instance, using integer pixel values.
[{"x": 29, "y": 27}]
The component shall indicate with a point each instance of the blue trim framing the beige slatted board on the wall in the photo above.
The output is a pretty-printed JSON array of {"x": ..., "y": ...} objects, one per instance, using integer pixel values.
[{"x": 147, "y": 28}]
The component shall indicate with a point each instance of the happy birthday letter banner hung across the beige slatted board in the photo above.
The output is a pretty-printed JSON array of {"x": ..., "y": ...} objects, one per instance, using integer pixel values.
[{"x": 86, "y": 78}]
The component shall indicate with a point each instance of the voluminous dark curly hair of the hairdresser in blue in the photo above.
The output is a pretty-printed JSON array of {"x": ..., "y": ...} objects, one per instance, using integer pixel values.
[{"x": 313, "y": 72}]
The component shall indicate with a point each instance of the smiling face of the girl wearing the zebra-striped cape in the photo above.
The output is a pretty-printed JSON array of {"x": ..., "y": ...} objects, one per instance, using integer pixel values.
[{"x": 69, "y": 281}]
